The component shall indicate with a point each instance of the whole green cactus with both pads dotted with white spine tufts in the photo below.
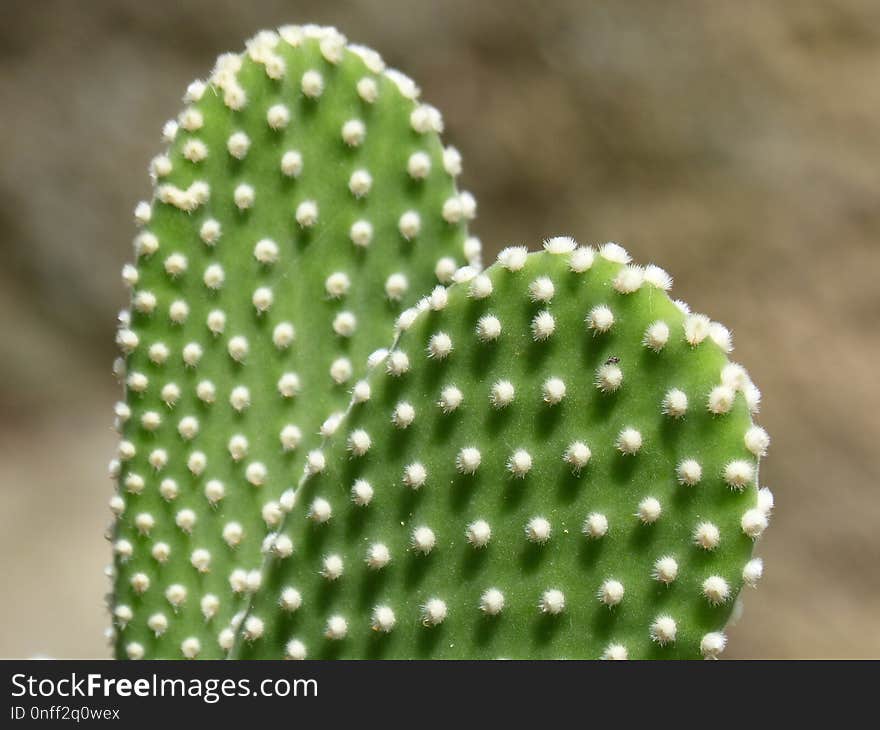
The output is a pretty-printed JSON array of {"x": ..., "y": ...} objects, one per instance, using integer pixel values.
[{"x": 327, "y": 453}]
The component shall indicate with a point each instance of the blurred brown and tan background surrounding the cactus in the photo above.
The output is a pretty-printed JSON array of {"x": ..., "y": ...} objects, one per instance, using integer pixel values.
[{"x": 736, "y": 144}]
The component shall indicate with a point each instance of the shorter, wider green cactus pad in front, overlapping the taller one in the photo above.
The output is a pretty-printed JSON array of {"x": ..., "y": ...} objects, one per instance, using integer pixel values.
[{"x": 556, "y": 461}]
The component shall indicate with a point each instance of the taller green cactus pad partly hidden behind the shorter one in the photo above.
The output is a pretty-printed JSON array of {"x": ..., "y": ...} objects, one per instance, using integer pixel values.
[{"x": 304, "y": 201}]
